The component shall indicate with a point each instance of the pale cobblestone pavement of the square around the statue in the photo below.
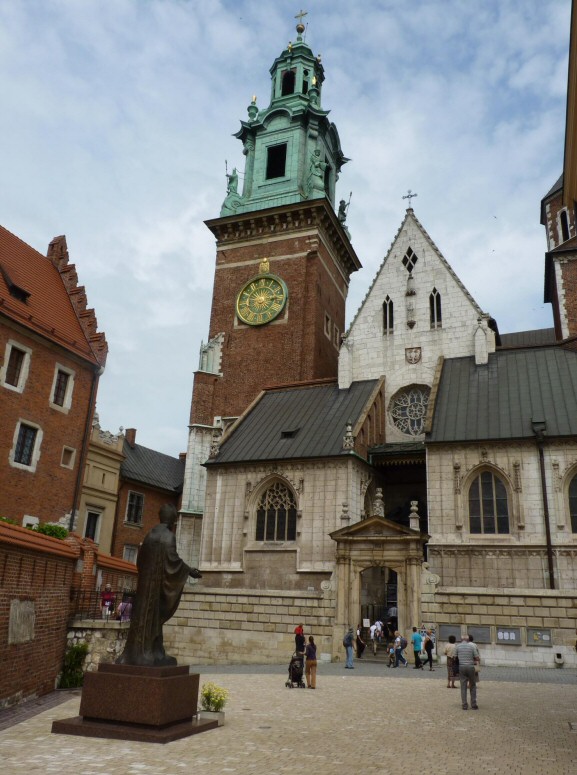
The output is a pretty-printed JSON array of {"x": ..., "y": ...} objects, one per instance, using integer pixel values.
[{"x": 371, "y": 720}]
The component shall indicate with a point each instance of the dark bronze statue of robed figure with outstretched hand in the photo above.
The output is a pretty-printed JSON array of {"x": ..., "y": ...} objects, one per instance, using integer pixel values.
[{"x": 161, "y": 578}]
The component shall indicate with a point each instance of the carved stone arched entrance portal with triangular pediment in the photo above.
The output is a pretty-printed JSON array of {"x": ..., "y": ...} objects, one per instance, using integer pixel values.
[{"x": 364, "y": 550}]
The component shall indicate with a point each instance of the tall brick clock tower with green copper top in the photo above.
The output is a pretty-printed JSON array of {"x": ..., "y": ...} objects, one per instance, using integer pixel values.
[{"x": 283, "y": 261}]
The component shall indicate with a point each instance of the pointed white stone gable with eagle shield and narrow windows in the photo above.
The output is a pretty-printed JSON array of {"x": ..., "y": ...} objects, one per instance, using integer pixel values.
[{"x": 408, "y": 354}]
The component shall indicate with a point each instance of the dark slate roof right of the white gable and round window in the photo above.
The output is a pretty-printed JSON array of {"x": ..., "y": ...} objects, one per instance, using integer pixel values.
[{"x": 499, "y": 400}]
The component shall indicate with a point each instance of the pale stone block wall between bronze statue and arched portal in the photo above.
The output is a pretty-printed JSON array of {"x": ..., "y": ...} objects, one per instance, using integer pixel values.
[{"x": 219, "y": 626}]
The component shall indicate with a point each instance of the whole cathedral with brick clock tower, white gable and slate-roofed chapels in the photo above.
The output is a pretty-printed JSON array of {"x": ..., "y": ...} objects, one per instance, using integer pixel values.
[{"x": 419, "y": 465}]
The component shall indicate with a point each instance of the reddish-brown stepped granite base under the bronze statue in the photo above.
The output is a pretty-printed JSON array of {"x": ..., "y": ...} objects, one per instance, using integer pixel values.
[{"x": 148, "y": 704}]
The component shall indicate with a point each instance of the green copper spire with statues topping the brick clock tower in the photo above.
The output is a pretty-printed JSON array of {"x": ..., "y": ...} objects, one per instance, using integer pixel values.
[{"x": 293, "y": 152}]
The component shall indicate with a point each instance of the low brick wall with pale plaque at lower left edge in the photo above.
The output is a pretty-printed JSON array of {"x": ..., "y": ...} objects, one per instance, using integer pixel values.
[{"x": 36, "y": 574}]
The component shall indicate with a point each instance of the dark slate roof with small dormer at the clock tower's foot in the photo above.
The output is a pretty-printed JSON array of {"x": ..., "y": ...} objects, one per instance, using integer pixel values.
[{"x": 289, "y": 423}]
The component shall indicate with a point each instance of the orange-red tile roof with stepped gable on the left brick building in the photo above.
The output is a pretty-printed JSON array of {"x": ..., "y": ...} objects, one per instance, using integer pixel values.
[{"x": 56, "y": 305}]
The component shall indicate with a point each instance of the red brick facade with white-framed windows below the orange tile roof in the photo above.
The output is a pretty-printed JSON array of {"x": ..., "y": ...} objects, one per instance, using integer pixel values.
[{"x": 47, "y": 492}]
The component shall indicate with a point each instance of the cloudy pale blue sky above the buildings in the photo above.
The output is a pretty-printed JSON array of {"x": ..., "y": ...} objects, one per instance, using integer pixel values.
[{"x": 117, "y": 122}]
